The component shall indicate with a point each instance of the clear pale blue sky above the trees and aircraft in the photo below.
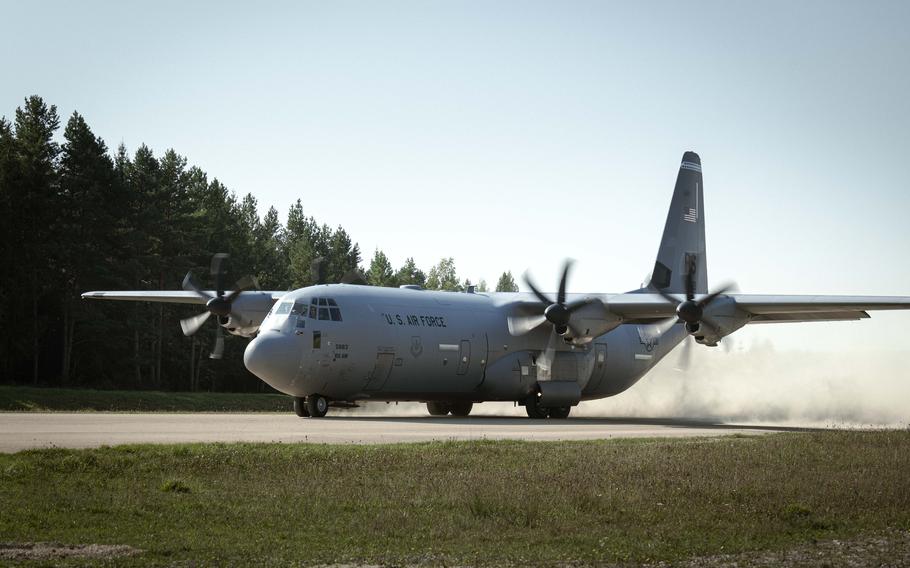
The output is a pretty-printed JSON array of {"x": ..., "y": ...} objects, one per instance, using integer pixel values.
[{"x": 513, "y": 134}]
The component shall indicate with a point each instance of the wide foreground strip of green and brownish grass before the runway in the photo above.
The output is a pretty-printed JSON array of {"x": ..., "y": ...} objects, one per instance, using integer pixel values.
[{"x": 460, "y": 503}]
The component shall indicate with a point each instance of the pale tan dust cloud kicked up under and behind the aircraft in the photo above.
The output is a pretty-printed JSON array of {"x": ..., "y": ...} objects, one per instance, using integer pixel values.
[{"x": 745, "y": 386}]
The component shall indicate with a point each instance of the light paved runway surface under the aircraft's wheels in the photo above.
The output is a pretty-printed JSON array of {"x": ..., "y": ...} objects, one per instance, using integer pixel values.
[{"x": 19, "y": 431}]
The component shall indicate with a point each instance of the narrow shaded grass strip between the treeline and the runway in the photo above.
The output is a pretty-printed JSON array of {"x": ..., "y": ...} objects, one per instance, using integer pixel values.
[{"x": 18, "y": 399}]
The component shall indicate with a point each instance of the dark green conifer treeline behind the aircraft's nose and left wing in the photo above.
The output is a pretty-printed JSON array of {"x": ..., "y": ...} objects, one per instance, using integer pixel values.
[{"x": 77, "y": 217}]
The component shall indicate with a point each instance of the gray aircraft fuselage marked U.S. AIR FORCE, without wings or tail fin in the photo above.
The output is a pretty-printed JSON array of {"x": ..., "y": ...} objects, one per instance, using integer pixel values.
[{"x": 420, "y": 345}]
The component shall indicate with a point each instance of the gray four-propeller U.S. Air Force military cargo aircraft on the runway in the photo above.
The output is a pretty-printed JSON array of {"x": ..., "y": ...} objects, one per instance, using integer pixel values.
[{"x": 337, "y": 344}]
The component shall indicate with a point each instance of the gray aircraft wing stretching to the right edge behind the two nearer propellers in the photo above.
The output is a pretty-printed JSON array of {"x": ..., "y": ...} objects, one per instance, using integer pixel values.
[{"x": 648, "y": 308}]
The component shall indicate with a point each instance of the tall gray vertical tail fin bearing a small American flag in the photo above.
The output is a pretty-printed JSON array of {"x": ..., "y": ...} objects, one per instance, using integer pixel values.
[{"x": 682, "y": 248}]
